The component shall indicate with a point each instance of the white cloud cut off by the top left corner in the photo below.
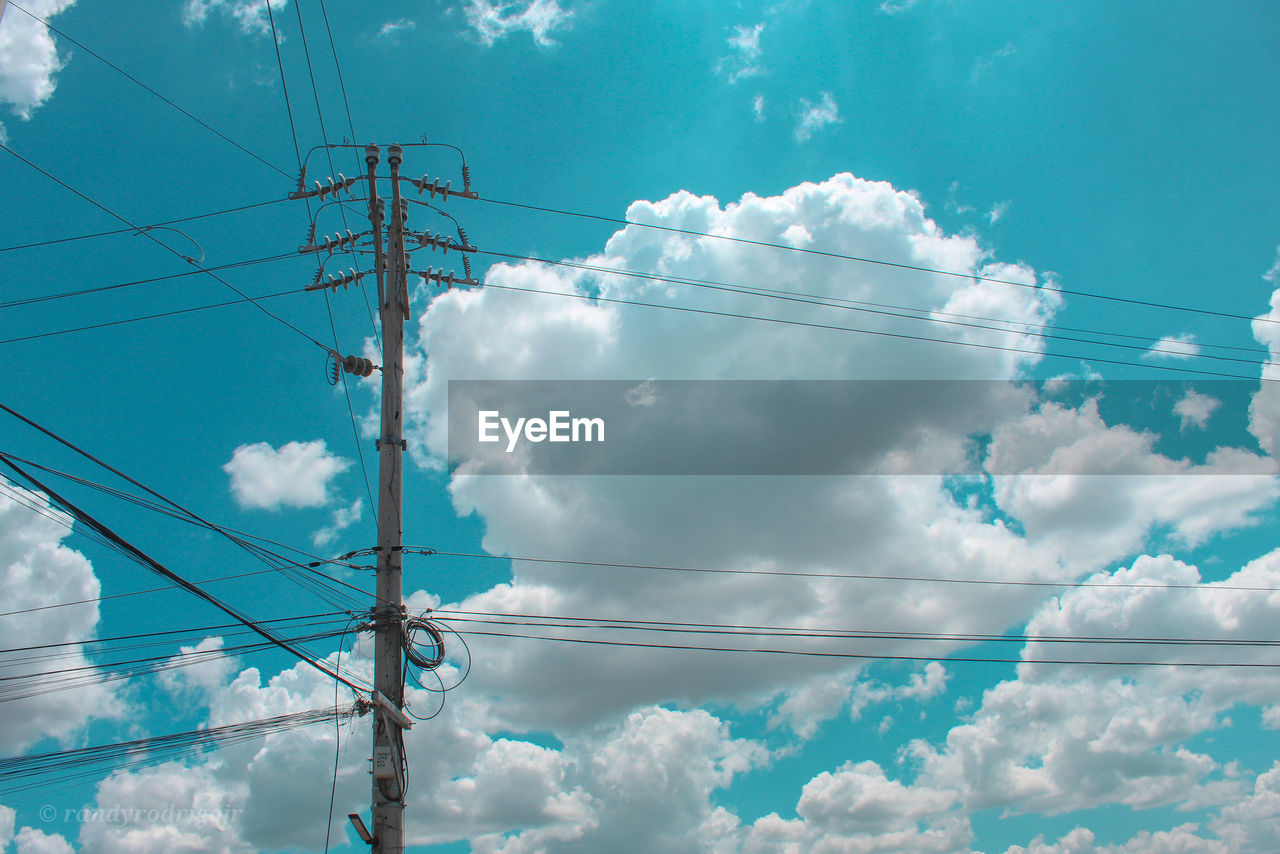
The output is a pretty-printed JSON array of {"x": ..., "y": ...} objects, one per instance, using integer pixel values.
[{"x": 29, "y": 58}]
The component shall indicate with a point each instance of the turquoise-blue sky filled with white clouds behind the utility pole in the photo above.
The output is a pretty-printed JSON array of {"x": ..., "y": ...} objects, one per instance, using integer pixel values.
[{"x": 1084, "y": 150}]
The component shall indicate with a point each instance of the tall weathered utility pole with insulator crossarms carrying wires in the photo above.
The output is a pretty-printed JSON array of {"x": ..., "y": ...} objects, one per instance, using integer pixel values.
[{"x": 388, "y": 618}]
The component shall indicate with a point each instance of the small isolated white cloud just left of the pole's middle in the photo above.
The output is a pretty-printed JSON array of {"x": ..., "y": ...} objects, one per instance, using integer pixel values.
[{"x": 296, "y": 476}]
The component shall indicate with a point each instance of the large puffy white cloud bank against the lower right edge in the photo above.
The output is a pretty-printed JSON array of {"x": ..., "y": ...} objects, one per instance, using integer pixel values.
[{"x": 1072, "y": 737}]
